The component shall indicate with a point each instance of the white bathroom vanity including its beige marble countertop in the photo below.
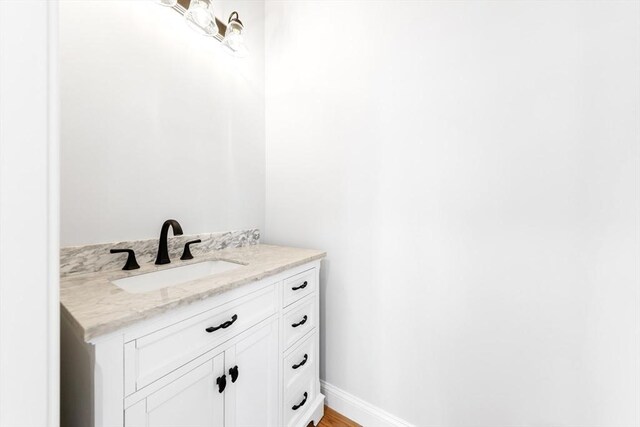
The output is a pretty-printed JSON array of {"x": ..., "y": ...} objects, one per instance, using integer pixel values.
[{"x": 237, "y": 347}]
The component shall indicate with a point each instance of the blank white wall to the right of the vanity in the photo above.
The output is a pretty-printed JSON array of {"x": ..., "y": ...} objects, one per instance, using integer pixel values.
[{"x": 472, "y": 169}]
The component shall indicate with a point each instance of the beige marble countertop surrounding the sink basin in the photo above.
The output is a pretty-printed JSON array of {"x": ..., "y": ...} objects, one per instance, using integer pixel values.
[{"x": 97, "y": 307}]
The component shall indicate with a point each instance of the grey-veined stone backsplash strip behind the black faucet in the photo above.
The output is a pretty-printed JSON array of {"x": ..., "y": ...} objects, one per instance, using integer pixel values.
[{"x": 93, "y": 258}]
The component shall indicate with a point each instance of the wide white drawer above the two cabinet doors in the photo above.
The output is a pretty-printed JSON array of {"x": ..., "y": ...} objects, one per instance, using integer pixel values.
[{"x": 155, "y": 355}]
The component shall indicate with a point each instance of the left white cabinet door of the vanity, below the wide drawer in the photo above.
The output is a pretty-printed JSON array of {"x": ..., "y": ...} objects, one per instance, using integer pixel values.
[{"x": 193, "y": 400}]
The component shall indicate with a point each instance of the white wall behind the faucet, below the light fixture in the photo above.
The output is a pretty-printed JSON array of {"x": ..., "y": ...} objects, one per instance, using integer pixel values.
[{"x": 158, "y": 122}]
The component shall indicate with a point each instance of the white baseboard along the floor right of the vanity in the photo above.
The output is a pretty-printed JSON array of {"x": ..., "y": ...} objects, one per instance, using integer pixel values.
[{"x": 358, "y": 410}]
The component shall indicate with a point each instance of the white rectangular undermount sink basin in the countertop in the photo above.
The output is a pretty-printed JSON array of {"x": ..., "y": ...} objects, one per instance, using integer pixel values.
[{"x": 173, "y": 276}]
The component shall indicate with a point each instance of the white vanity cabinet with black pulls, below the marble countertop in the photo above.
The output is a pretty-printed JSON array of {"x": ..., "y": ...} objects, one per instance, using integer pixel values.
[{"x": 246, "y": 357}]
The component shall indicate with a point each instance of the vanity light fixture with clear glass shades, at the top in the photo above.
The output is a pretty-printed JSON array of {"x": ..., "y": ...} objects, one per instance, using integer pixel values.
[{"x": 200, "y": 17}]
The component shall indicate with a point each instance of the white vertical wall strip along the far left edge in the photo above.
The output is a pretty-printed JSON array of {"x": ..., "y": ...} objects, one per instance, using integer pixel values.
[{"x": 29, "y": 303}]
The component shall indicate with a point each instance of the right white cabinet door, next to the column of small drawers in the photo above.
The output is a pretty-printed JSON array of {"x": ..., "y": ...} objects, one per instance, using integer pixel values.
[{"x": 252, "y": 399}]
